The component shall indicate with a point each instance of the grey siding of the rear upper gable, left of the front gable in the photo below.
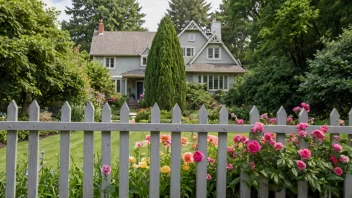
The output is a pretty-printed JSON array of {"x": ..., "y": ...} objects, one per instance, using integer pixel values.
[{"x": 199, "y": 42}]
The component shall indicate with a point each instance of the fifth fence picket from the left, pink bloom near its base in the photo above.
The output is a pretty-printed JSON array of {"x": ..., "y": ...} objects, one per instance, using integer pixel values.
[{"x": 106, "y": 151}]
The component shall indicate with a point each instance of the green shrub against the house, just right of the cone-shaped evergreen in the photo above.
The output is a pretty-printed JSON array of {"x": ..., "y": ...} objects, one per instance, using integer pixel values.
[{"x": 197, "y": 95}]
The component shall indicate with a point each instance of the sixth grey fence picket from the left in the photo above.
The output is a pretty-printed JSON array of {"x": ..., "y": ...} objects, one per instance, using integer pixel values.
[{"x": 124, "y": 153}]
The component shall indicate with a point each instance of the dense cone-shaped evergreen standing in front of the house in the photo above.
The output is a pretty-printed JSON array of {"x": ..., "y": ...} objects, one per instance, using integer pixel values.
[{"x": 165, "y": 77}]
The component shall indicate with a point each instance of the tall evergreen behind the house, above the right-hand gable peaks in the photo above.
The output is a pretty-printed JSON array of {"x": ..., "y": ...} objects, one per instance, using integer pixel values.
[{"x": 184, "y": 11}]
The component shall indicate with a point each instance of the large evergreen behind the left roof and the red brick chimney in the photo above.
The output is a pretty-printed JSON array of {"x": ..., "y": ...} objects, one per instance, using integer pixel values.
[{"x": 118, "y": 15}]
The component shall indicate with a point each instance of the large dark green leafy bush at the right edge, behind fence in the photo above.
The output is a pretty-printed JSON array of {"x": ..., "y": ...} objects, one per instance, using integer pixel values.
[{"x": 329, "y": 80}]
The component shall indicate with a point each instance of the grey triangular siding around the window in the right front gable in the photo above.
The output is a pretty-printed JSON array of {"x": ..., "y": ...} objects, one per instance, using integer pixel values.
[{"x": 225, "y": 58}]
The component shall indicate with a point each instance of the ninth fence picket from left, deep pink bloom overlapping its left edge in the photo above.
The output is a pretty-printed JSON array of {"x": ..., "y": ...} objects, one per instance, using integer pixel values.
[{"x": 201, "y": 187}]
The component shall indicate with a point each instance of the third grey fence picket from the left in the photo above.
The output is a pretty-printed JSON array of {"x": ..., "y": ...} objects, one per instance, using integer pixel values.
[{"x": 64, "y": 152}]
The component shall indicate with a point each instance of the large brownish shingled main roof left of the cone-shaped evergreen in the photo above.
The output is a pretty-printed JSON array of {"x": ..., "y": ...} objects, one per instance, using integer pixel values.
[{"x": 120, "y": 43}]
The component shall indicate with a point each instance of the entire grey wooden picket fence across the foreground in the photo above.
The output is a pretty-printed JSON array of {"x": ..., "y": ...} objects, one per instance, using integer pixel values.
[{"x": 89, "y": 126}]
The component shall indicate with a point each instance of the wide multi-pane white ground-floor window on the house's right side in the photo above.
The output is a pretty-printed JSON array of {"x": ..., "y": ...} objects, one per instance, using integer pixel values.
[{"x": 214, "y": 82}]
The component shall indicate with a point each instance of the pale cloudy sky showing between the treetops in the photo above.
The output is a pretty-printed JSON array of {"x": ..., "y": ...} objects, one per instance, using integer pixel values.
[{"x": 154, "y": 10}]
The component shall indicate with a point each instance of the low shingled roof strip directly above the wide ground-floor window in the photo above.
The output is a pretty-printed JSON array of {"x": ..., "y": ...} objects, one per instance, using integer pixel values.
[{"x": 214, "y": 68}]
